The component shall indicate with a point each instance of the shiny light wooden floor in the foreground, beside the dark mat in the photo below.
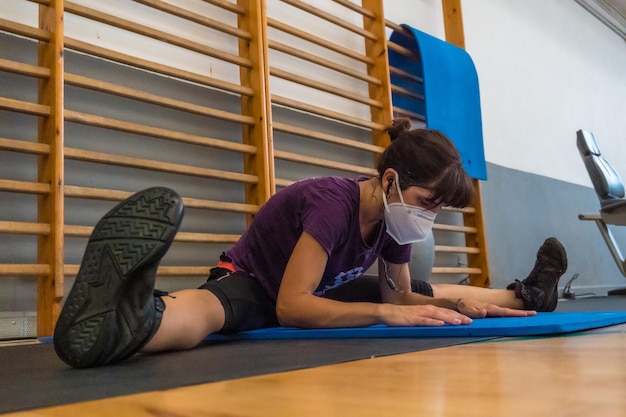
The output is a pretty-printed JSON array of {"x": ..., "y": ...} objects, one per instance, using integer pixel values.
[{"x": 581, "y": 374}]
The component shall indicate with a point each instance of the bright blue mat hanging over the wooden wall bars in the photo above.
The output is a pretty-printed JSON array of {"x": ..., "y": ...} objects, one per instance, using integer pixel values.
[{"x": 446, "y": 78}]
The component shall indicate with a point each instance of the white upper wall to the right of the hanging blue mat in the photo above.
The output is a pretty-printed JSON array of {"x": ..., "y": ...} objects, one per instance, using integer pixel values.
[{"x": 548, "y": 69}]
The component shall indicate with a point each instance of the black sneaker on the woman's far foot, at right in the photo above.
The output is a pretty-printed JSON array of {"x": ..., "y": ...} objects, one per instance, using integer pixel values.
[{"x": 539, "y": 290}]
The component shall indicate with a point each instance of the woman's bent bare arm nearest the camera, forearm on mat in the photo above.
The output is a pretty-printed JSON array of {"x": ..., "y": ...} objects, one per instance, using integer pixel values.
[{"x": 297, "y": 306}]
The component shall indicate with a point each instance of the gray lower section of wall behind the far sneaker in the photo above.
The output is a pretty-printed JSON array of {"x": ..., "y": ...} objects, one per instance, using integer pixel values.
[{"x": 521, "y": 209}]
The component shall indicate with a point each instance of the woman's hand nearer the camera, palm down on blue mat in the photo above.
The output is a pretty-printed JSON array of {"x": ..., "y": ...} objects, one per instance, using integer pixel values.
[{"x": 421, "y": 315}]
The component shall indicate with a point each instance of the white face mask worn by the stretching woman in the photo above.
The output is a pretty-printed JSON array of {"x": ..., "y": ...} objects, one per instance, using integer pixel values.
[{"x": 405, "y": 223}]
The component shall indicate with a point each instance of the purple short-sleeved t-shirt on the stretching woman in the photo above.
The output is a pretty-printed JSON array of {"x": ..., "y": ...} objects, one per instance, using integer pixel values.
[{"x": 328, "y": 209}]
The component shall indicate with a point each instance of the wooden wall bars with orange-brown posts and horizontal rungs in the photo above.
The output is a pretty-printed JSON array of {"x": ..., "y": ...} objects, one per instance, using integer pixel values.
[{"x": 258, "y": 126}]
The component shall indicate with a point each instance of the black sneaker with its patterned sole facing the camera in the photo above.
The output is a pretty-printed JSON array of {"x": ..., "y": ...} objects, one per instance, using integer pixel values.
[{"x": 112, "y": 309}]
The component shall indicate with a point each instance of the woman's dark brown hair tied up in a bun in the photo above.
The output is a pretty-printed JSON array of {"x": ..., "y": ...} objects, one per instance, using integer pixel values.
[{"x": 427, "y": 159}]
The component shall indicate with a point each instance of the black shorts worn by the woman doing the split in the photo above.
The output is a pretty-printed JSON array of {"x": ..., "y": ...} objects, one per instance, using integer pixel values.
[{"x": 247, "y": 306}]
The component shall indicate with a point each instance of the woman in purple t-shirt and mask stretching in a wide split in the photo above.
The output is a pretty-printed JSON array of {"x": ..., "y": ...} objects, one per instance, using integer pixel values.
[{"x": 308, "y": 240}]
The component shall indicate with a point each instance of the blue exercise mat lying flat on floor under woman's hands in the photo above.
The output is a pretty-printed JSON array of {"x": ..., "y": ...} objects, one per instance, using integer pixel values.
[{"x": 541, "y": 324}]
